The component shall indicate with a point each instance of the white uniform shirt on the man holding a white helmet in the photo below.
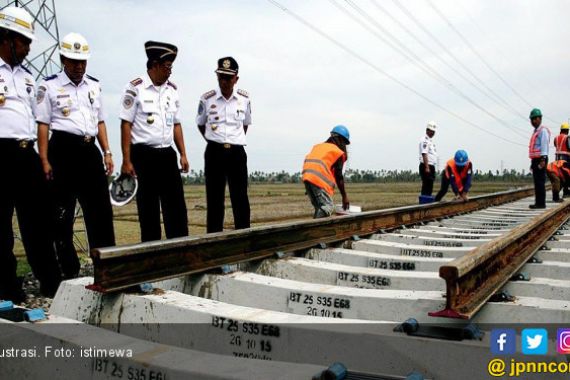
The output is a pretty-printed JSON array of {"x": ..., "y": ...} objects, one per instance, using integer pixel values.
[{"x": 153, "y": 111}]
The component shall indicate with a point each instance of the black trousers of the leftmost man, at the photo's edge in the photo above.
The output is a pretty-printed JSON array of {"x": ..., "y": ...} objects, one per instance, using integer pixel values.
[{"x": 24, "y": 189}]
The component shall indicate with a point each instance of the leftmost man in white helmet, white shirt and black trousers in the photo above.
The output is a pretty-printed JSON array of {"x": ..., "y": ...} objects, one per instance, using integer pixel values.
[{"x": 24, "y": 187}]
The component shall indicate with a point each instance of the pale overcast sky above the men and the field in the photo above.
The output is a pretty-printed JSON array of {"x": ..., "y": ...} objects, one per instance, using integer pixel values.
[{"x": 302, "y": 84}]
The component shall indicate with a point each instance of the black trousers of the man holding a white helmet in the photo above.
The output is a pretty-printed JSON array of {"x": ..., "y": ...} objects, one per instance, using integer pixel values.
[{"x": 160, "y": 186}]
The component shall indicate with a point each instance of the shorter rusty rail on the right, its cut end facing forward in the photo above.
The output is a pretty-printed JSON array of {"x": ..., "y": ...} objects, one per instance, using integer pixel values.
[{"x": 474, "y": 278}]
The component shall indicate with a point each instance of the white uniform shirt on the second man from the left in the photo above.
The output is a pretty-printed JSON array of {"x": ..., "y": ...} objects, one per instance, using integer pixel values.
[{"x": 69, "y": 108}]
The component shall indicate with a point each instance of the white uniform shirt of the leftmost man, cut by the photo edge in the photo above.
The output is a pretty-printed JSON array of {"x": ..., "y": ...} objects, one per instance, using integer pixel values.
[{"x": 17, "y": 103}]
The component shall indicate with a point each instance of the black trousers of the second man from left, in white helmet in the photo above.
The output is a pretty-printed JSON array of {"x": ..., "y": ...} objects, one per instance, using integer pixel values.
[{"x": 79, "y": 175}]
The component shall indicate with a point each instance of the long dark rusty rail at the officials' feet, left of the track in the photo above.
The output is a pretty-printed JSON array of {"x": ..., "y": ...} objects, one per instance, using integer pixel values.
[{"x": 117, "y": 268}]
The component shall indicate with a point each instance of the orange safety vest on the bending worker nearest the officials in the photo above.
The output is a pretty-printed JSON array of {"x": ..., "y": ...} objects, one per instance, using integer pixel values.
[{"x": 317, "y": 168}]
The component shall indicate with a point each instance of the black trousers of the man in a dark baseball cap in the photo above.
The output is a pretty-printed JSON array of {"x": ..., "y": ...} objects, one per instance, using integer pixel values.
[{"x": 226, "y": 163}]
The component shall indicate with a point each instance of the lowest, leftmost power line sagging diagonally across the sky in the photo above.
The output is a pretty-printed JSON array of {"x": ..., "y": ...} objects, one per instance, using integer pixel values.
[{"x": 378, "y": 69}]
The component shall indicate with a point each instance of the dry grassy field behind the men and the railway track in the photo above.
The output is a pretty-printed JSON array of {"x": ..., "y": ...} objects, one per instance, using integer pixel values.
[{"x": 270, "y": 204}]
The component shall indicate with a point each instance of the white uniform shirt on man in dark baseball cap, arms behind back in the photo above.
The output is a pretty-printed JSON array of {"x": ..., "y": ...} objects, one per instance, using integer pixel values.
[{"x": 224, "y": 119}]
